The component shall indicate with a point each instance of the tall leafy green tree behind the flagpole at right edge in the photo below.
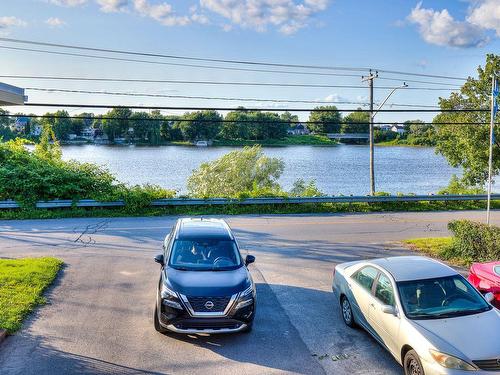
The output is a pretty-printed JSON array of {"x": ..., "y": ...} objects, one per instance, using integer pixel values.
[{"x": 467, "y": 146}]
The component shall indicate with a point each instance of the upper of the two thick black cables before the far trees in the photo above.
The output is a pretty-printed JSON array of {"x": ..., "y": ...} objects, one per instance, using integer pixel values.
[{"x": 107, "y": 106}]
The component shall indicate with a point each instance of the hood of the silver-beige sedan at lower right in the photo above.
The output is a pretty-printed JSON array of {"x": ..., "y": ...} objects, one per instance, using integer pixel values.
[{"x": 474, "y": 337}]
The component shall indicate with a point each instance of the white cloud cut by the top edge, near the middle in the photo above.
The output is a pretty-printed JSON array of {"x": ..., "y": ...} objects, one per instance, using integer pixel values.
[{"x": 287, "y": 16}]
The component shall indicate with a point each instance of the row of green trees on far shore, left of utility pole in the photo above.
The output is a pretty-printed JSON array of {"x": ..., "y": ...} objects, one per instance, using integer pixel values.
[{"x": 153, "y": 127}]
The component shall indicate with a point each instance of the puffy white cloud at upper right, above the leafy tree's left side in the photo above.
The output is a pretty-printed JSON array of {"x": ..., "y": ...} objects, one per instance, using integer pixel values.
[{"x": 440, "y": 28}]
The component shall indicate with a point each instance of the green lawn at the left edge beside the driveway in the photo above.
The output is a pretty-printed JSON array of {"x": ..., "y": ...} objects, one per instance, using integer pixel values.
[{"x": 22, "y": 282}]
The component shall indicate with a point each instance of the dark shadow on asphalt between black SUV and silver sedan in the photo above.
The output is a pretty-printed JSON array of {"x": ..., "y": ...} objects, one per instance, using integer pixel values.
[{"x": 275, "y": 342}]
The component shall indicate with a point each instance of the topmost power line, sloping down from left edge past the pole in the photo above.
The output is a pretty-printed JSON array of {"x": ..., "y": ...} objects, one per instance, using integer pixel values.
[{"x": 229, "y": 61}]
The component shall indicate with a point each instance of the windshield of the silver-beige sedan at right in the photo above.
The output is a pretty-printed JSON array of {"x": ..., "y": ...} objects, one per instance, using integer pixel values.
[{"x": 439, "y": 298}]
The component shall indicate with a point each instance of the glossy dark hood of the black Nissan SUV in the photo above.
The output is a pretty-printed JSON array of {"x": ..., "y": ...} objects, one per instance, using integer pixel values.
[{"x": 208, "y": 283}]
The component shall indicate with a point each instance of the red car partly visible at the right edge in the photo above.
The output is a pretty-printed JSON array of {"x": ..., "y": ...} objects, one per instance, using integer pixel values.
[{"x": 486, "y": 278}]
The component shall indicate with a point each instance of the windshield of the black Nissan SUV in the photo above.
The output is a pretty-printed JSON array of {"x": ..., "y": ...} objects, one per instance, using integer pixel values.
[{"x": 205, "y": 255}]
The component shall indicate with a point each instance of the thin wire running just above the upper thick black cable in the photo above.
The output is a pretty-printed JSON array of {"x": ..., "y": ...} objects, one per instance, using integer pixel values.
[{"x": 215, "y": 97}]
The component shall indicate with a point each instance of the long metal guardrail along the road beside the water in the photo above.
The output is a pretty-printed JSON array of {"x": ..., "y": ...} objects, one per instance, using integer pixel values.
[{"x": 10, "y": 204}]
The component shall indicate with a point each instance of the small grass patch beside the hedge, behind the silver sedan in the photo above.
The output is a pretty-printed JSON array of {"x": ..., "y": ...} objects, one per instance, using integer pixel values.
[{"x": 437, "y": 247}]
